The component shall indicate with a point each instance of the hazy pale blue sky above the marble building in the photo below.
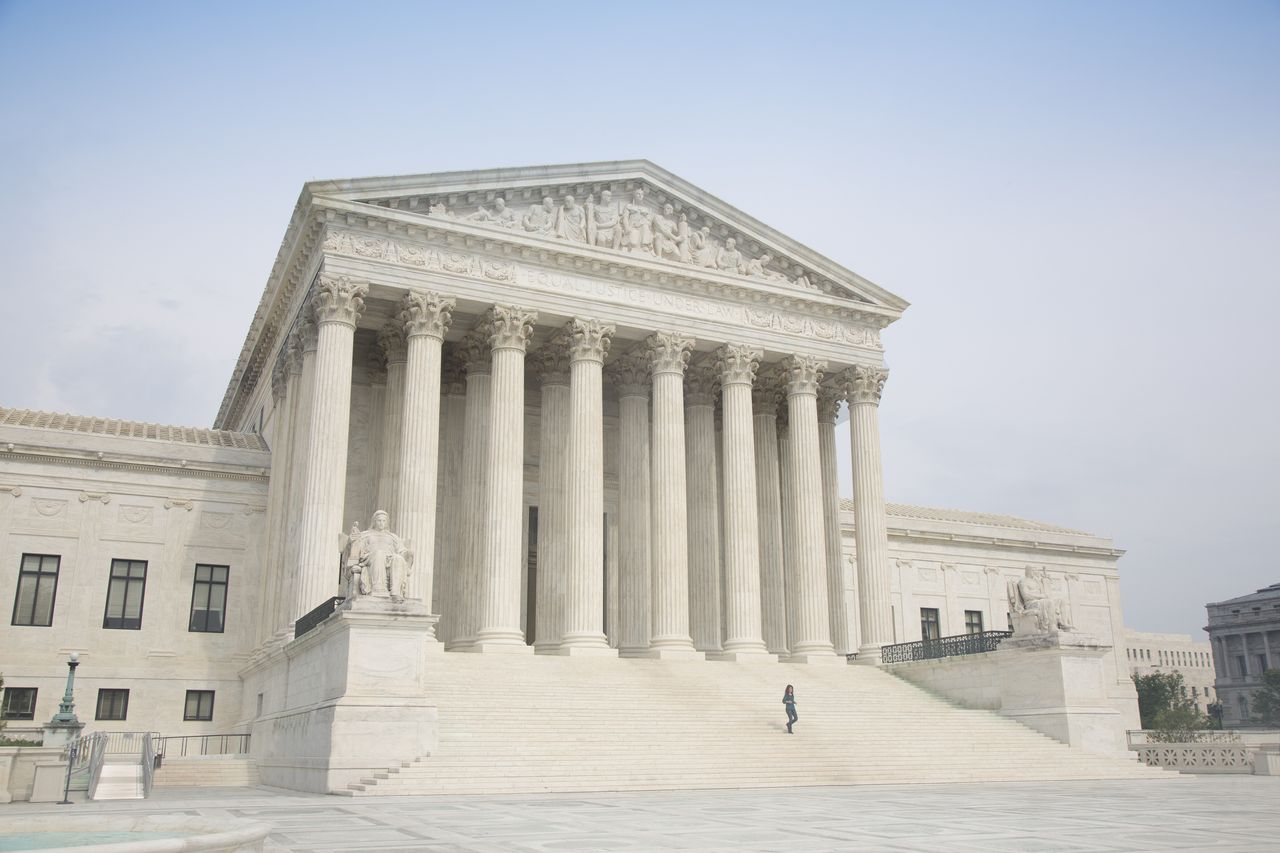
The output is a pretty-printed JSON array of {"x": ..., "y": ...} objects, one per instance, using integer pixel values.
[{"x": 1082, "y": 202}]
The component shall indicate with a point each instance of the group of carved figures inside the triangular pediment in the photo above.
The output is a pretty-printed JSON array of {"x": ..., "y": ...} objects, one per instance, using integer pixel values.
[{"x": 630, "y": 227}]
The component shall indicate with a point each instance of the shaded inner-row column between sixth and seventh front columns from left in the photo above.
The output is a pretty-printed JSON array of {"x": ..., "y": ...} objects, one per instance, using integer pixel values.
[{"x": 769, "y": 504}]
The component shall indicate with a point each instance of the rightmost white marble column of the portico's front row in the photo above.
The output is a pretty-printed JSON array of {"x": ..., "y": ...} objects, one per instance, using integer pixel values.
[{"x": 865, "y": 387}]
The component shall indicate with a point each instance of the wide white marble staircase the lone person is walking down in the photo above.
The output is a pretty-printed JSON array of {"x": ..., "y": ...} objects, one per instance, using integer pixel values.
[{"x": 550, "y": 724}]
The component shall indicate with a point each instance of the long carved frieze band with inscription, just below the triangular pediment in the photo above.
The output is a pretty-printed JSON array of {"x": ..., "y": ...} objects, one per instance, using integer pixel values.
[{"x": 342, "y": 243}]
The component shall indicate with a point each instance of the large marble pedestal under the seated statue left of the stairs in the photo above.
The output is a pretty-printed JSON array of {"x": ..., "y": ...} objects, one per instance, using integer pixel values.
[{"x": 348, "y": 699}]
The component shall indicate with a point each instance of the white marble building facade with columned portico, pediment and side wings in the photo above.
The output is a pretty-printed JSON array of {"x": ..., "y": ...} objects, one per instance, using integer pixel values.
[{"x": 598, "y": 405}]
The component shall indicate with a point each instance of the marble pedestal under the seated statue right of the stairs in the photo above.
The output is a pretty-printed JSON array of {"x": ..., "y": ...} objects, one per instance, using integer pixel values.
[{"x": 1057, "y": 685}]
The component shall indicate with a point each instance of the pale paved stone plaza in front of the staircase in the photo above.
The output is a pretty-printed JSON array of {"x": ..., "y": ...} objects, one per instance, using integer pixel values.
[{"x": 1223, "y": 814}]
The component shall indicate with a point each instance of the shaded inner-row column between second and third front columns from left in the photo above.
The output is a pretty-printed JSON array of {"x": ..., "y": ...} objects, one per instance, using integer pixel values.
[{"x": 476, "y": 355}]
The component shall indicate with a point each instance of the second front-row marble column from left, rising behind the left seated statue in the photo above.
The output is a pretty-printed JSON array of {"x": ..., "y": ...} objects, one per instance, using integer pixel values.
[{"x": 426, "y": 318}]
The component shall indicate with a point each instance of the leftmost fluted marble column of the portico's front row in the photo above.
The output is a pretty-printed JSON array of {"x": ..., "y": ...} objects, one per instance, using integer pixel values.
[{"x": 337, "y": 307}]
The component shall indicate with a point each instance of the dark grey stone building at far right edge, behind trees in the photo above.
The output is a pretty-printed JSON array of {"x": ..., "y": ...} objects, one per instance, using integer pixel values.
[{"x": 1245, "y": 635}]
